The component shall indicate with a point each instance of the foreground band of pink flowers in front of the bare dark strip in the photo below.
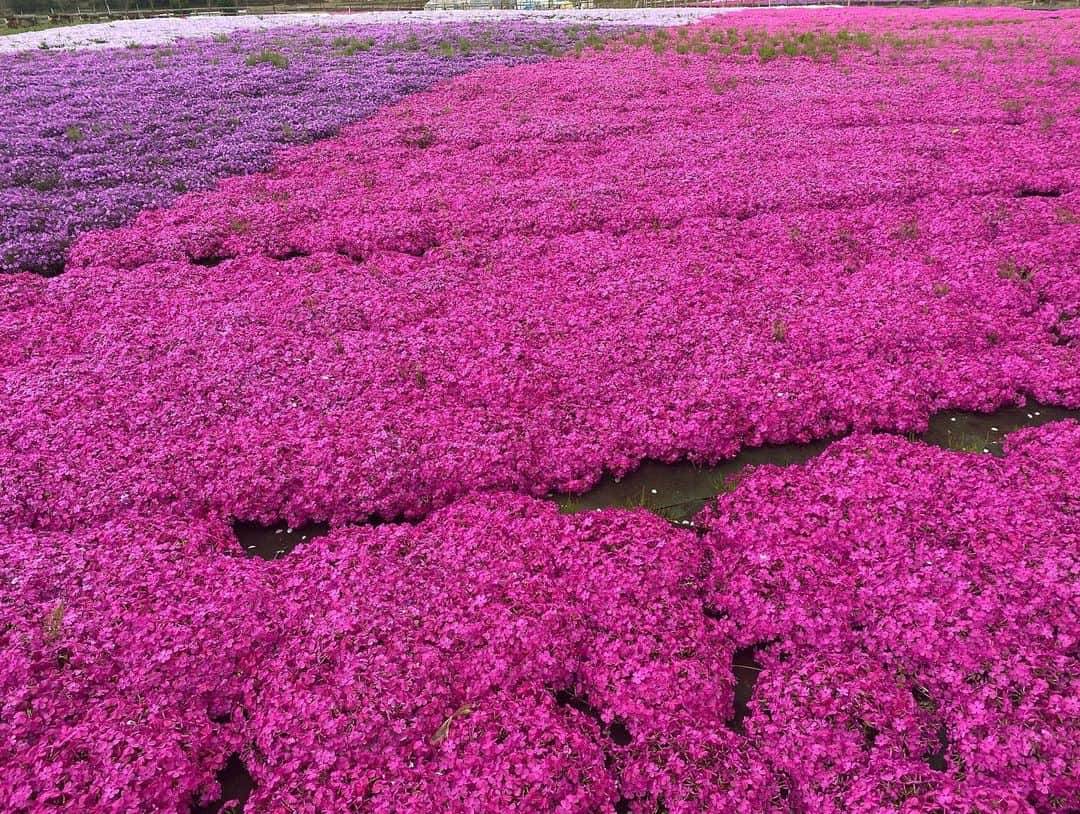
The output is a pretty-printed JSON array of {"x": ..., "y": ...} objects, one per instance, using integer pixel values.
[{"x": 912, "y": 610}]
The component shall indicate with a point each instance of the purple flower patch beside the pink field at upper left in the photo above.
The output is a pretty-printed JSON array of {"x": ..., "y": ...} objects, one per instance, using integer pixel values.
[{"x": 90, "y": 139}]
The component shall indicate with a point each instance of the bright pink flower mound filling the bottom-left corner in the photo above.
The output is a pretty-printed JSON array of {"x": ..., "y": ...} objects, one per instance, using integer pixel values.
[{"x": 123, "y": 650}]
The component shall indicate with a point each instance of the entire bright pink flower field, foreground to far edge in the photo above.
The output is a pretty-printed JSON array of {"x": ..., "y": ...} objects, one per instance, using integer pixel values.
[{"x": 665, "y": 245}]
